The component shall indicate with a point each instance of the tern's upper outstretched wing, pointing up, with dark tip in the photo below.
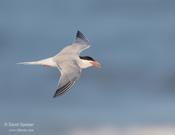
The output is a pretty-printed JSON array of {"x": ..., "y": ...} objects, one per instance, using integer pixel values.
[{"x": 81, "y": 43}]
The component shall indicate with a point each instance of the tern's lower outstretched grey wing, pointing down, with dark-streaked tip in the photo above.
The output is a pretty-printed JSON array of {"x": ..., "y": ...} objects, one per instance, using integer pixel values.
[{"x": 70, "y": 72}]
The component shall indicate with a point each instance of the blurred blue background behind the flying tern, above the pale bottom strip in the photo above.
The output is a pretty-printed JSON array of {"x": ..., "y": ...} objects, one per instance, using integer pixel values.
[{"x": 133, "y": 39}]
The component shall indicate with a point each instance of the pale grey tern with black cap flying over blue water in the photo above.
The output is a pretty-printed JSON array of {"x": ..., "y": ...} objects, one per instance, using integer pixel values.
[{"x": 69, "y": 62}]
